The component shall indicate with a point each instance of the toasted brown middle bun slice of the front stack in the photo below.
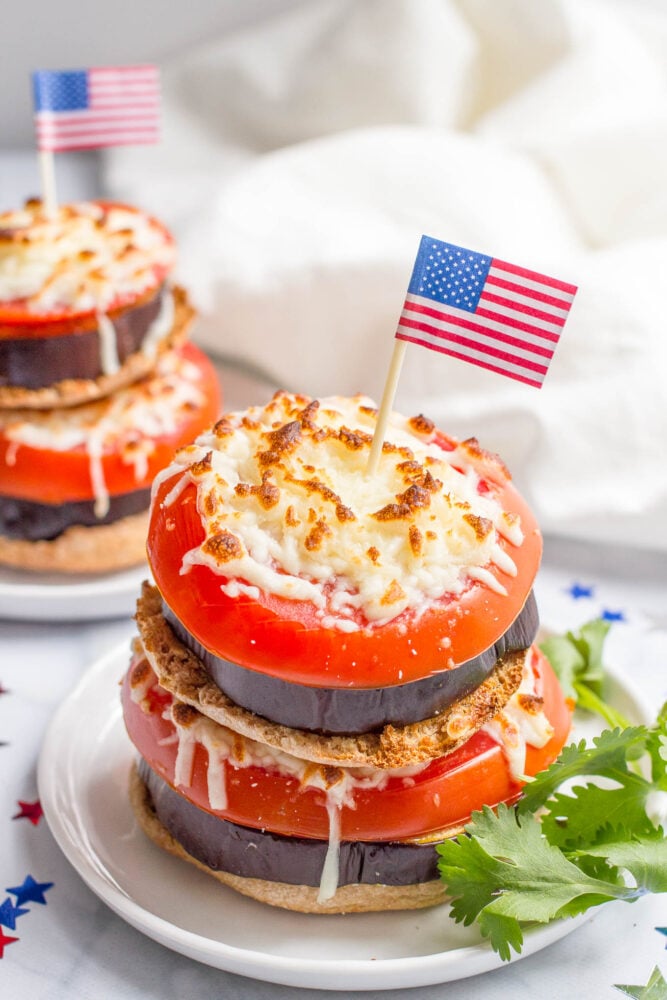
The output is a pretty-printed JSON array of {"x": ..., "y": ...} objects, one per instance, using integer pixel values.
[{"x": 181, "y": 673}]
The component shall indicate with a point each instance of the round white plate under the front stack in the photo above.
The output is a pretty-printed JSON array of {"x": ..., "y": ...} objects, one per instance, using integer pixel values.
[{"x": 83, "y": 776}]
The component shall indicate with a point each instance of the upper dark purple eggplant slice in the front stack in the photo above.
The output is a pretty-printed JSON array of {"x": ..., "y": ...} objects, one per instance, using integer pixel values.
[{"x": 348, "y": 711}]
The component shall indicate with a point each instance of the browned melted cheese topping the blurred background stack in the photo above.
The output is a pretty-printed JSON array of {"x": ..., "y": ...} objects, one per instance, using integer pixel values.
[{"x": 85, "y": 258}]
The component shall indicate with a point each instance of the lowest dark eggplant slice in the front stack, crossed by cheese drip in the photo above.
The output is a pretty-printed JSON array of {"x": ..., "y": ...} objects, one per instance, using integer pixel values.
[{"x": 259, "y": 854}]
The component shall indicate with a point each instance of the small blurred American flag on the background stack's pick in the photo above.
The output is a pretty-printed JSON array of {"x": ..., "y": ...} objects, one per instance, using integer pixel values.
[{"x": 100, "y": 106}]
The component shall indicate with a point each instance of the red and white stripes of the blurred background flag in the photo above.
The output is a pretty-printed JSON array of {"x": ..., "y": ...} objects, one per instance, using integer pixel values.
[{"x": 124, "y": 108}]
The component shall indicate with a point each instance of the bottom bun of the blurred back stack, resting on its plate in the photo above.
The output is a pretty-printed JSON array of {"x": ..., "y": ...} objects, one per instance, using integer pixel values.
[{"x": 98, "y": 549}]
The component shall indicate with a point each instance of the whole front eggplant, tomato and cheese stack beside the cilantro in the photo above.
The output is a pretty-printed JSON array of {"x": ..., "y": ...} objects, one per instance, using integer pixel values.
[{"x": 332, "y": 669}]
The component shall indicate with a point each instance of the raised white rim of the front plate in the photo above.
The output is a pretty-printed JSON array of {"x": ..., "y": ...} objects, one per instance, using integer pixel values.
[{"x": 318, "y": 973}]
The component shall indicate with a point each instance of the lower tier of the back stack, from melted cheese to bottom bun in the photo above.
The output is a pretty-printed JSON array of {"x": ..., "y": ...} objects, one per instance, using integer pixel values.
[{"x": 75, "y": 481}]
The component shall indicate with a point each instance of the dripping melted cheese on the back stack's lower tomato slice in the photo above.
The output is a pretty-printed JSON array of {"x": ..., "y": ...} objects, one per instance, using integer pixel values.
[{"x": 128, "y": 422}]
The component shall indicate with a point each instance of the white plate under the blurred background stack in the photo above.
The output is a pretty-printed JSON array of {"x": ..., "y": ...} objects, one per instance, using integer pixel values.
[{"x": 53, "y": 597}]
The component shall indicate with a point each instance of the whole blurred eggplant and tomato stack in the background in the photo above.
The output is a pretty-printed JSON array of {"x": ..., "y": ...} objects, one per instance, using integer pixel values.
[{"x": 98, "y": 382}]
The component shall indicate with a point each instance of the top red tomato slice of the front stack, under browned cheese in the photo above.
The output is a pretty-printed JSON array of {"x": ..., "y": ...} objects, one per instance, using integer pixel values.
[{"x": 285, "y": 638}]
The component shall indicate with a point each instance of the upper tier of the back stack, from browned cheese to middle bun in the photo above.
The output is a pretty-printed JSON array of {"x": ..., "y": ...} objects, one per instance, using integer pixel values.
[{"x": 86, "y": 302}]
